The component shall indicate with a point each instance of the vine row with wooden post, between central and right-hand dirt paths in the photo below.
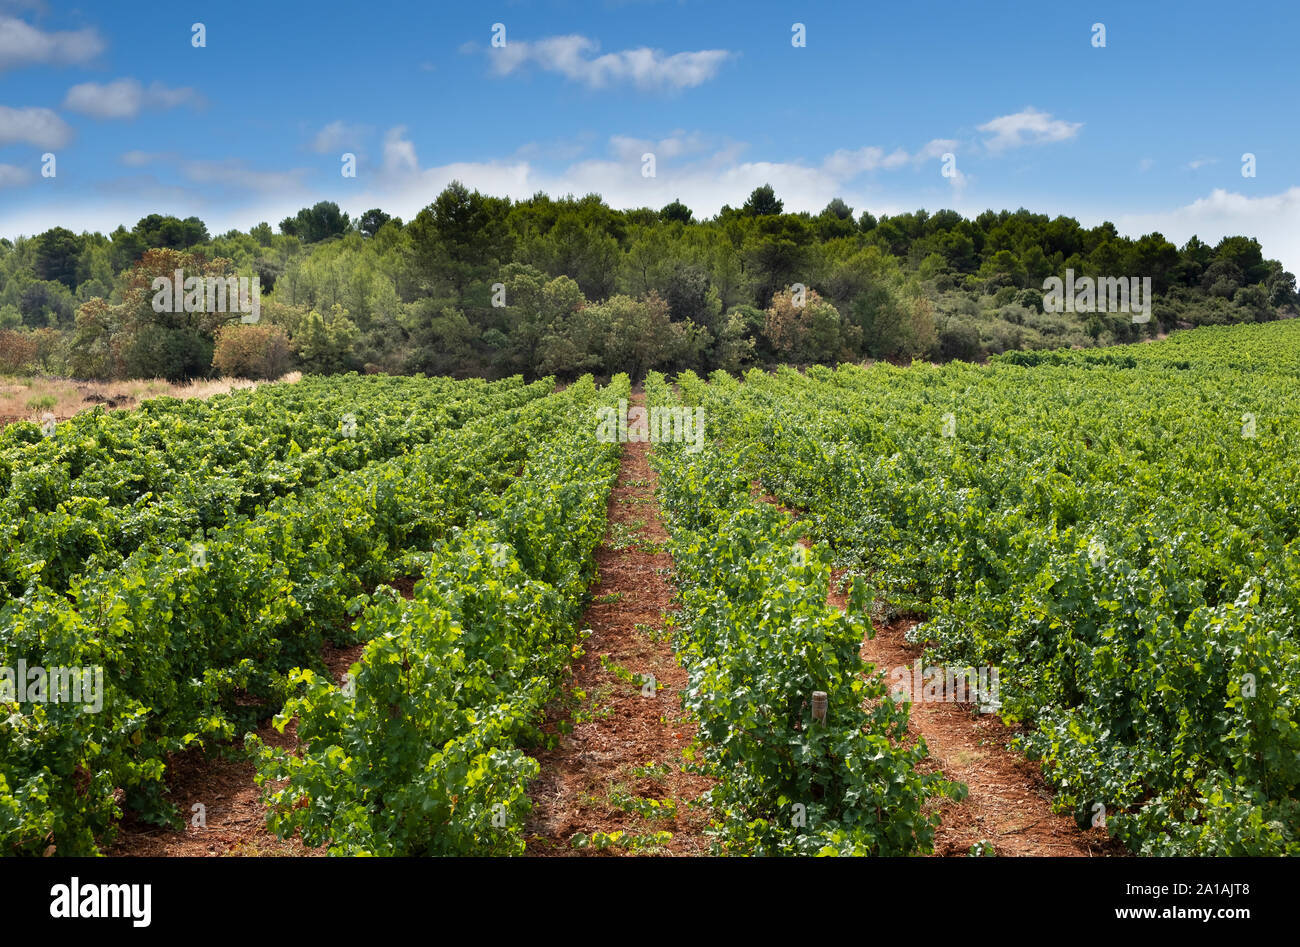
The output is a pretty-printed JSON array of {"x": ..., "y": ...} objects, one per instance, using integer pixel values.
[{"x": 759, "y": 641}]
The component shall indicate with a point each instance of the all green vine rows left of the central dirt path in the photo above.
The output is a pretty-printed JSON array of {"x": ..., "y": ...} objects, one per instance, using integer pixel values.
[{"x": 202, "y": 554}]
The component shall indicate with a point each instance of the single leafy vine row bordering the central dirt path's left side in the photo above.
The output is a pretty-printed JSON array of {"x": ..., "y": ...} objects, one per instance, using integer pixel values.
[{"x": 422, "y": 758}]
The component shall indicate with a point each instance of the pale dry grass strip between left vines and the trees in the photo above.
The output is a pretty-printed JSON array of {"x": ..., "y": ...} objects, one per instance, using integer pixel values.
[{"x": 31, "y": 399}]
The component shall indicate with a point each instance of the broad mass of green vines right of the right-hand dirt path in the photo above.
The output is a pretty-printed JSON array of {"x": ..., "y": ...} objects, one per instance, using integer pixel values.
[{"x": 1115, "y": 531}]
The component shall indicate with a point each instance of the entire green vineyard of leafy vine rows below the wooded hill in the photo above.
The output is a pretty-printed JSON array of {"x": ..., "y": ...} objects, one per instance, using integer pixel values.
[{"x": 1115, "y": 533}]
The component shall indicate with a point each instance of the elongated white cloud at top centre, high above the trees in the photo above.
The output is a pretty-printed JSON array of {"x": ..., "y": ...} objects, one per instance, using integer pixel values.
[{"x": 575, "y": 58}]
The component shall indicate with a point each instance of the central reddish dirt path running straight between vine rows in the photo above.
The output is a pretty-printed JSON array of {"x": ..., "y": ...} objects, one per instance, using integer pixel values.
[{"x": 622, "y": 769}]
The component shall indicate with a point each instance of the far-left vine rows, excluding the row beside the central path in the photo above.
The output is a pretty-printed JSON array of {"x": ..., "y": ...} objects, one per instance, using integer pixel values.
[{"x": 197, "y": 642}]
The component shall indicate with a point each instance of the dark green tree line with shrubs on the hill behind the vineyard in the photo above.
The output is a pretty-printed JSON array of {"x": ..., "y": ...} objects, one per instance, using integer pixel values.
[{"x": 484, "y": 286}]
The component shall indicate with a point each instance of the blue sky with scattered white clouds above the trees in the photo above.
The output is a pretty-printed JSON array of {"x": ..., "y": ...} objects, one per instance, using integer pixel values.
[{"x": 1147, "y": 132}]
